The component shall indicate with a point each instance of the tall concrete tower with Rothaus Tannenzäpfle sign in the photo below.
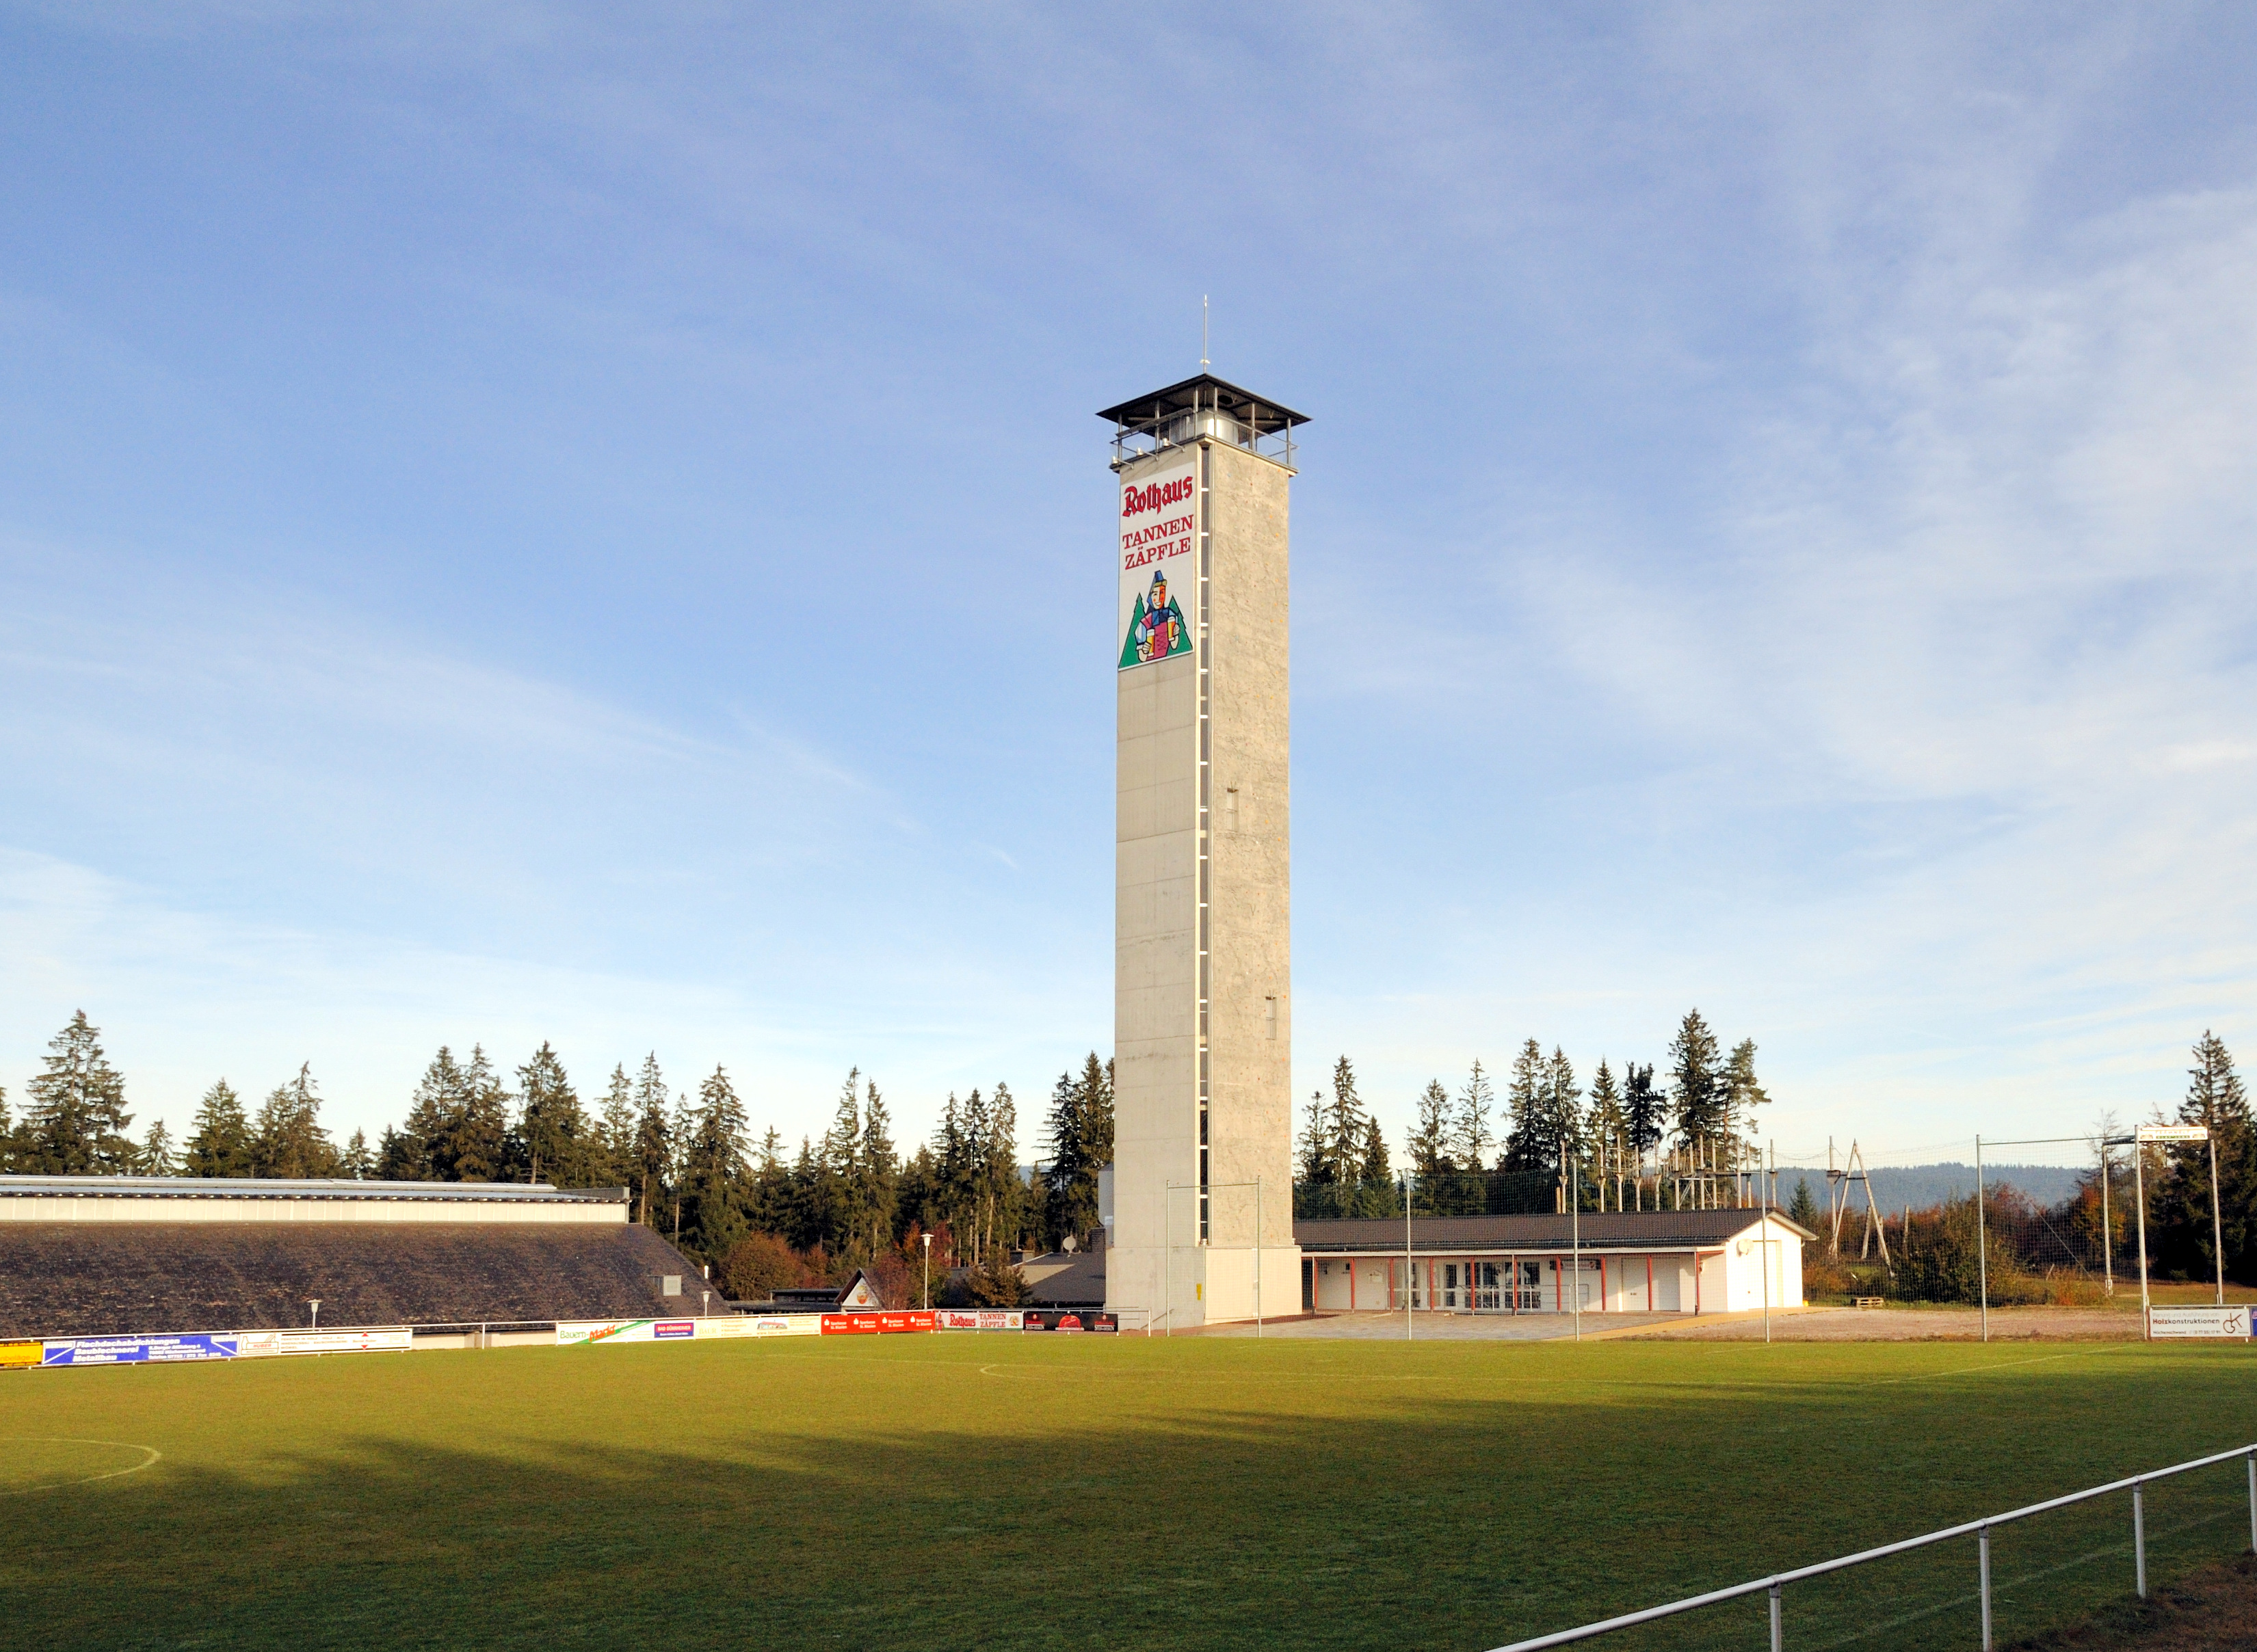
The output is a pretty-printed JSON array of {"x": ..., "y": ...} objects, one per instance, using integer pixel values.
[{"x": 1202, "y": 931}]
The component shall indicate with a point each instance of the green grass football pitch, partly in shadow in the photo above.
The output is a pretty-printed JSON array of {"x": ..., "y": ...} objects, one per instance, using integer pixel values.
[{"x": 1089, "y": 1493}]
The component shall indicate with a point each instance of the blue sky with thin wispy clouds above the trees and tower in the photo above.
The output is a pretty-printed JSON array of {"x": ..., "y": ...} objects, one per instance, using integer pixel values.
[{"x": 536, "y": 525}]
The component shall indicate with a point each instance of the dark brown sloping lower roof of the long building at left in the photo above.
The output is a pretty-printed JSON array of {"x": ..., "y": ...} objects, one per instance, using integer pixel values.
[{"x": 130, "y": 1278}]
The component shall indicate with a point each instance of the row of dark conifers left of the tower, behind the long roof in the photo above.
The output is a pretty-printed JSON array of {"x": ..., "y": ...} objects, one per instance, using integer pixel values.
[{"x": 687, "y": 1159}]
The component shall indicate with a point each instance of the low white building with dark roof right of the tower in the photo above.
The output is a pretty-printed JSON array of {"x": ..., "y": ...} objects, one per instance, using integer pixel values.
[{"x": 1608, "y": 1263}]
